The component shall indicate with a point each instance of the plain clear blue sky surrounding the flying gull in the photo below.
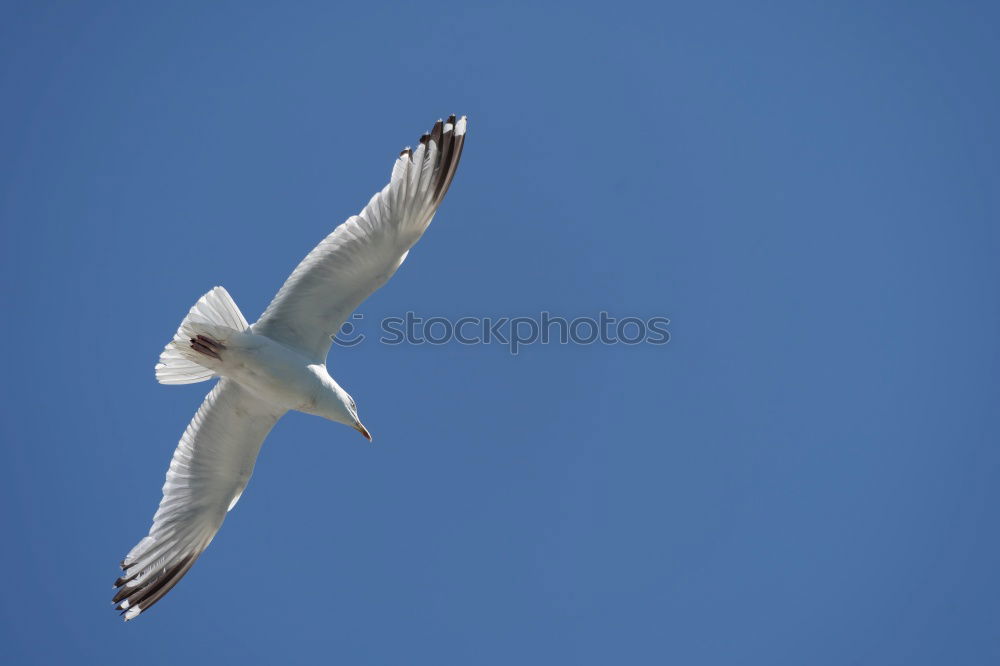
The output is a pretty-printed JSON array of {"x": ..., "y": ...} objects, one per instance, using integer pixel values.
[{"x": 806, "y": 474}]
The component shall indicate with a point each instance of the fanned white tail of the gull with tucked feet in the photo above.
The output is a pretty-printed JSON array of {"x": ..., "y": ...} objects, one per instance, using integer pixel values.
[{"x": 198, "y": 339}]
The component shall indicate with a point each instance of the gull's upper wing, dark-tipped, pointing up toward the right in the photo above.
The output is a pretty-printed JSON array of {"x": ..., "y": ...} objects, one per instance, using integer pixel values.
[{"x": 363, "y": 252}]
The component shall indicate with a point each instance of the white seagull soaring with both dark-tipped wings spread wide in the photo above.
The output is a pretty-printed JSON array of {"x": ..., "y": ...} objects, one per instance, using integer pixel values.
[{"x": 276, "y": 364}]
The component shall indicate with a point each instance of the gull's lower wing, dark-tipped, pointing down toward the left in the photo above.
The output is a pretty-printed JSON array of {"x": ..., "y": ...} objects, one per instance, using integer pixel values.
[{"x": 209, "y": 470}]
